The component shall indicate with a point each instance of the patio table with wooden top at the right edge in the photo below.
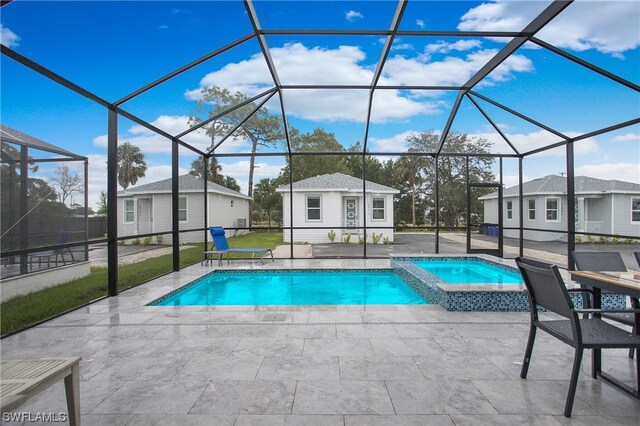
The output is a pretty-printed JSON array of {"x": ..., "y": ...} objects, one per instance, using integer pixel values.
[{"x": 626, "y": 283}]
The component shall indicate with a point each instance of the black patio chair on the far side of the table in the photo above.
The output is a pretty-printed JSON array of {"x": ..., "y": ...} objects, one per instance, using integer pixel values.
[{"x": 607, "y": 261}]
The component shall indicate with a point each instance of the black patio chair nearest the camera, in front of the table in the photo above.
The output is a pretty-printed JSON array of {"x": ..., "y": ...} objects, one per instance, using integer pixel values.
[{"x": 546, "y": 289}]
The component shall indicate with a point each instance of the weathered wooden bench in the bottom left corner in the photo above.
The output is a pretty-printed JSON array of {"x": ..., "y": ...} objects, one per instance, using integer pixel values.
[{"x": 22, "y": 378}]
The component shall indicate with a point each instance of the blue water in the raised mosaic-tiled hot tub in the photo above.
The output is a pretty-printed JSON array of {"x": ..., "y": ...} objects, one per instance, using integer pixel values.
[{"x": 457, "y": 271}]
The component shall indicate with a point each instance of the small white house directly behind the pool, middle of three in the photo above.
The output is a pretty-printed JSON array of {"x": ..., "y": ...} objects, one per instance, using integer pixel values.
[{"x": 333, "y": 201}]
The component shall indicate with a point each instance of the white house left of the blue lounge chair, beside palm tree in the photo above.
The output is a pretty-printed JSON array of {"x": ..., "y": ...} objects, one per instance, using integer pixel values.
[{"x": 147, "y": 208}]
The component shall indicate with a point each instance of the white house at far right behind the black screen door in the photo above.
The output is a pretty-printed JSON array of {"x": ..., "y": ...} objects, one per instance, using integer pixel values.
[{"x": 602, "y": 206}]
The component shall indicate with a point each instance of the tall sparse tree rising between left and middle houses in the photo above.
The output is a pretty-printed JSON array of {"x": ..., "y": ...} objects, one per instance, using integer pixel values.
[{"x": 261, "y": 129}]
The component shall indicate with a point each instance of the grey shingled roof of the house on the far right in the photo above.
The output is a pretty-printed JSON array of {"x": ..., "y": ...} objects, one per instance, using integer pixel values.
[{"x": 553, "y": 184}]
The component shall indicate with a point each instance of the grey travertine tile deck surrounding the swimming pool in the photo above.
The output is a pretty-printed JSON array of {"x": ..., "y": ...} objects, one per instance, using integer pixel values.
[{"x": 319, "y": 365}]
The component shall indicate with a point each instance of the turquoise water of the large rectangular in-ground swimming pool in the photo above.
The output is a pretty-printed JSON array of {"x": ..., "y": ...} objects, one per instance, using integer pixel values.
[{"x": 295, "y": 288}]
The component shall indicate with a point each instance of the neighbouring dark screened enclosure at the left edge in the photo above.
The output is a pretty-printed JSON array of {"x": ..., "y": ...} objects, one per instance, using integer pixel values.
[{"x": 43, "y": 240}]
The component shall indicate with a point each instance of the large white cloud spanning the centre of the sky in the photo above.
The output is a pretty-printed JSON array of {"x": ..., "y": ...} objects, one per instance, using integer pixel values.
[{"x": 298, "y": 64}]
